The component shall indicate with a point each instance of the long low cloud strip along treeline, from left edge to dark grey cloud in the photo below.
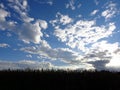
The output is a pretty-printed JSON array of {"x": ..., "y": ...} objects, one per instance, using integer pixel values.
[{"x": 37, "y": 65}]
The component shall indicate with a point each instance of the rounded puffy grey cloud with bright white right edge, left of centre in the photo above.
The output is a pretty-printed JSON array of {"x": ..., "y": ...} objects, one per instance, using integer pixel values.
[{"x": 32, "y": 33}]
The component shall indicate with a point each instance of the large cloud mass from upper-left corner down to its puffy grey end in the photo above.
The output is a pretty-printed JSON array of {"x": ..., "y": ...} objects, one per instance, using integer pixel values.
[{"x": 29, "y": 30}]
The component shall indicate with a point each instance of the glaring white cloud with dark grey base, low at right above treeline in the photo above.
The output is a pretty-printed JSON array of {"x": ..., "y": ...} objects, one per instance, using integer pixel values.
[{"x": 103, "y": 55}]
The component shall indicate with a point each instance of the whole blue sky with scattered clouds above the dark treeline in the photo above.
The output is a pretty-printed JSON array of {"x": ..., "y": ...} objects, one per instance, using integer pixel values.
[{"x": 60, "y": 34}]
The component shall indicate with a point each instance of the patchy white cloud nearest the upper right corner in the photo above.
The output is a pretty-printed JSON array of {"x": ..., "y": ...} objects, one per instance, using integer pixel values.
[{"x": 110, "y": 11}]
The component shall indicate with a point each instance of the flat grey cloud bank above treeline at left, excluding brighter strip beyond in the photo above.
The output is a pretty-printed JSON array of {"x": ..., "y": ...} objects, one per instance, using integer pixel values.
[{"x": 25, "y": 64}]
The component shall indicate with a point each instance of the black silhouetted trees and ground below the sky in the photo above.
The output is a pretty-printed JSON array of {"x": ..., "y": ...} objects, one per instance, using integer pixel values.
[{"x": 59, "y": 80}]
